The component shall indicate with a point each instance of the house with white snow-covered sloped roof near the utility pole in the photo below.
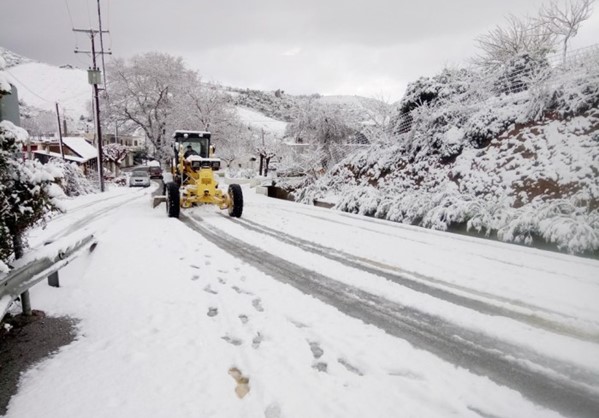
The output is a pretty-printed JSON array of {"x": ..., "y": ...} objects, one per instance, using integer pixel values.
[{"x": 73, "y": 149}]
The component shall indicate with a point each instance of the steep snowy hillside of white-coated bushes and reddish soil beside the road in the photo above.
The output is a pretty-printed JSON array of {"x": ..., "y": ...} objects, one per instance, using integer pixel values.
[{"x": 515, "y": 159}]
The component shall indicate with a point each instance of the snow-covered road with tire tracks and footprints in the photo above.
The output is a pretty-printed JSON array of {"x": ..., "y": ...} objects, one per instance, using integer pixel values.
[{"x": 326, "y": 314}]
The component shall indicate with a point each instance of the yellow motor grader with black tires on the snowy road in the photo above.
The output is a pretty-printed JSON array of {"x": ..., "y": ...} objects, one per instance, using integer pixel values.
[{"x": 194, "y": 182}]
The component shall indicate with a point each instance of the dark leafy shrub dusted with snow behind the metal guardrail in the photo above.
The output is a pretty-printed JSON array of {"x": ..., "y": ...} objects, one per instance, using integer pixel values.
[{"x": 26, "y": 192}]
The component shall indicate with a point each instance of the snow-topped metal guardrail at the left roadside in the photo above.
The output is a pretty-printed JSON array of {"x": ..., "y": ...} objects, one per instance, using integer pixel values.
[{"x": 36, "y": 266}]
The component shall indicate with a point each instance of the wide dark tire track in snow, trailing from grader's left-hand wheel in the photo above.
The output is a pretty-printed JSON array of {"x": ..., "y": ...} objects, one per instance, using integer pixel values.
[{"x": 545, "y": 381}]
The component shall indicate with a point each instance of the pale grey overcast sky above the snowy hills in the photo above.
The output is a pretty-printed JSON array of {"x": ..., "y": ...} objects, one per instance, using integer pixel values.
[{"x": 364, "y": 47}]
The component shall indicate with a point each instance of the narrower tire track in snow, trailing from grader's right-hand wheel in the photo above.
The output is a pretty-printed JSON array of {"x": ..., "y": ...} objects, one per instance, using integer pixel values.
[{"x": 431, "y": 289}]
